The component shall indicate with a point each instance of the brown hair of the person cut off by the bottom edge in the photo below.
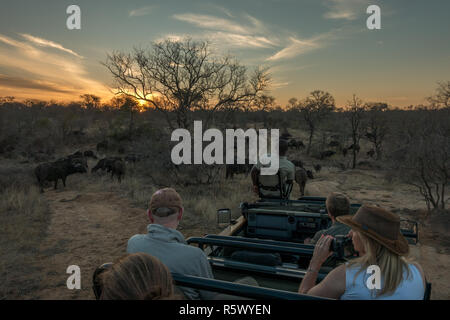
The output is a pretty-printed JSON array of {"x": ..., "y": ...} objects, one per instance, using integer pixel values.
[{"x": 138, "y": 276}]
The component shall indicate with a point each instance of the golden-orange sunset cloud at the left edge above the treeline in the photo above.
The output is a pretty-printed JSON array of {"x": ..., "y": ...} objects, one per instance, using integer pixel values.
[{"x": 36, "y": 72}]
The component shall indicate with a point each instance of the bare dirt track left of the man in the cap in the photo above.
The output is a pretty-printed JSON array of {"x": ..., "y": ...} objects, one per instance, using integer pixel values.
[{"x": 86, "y": 230}]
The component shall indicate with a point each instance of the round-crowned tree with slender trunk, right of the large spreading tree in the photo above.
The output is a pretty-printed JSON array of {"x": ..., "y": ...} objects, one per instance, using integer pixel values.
[{"x": 314, "y": 109}]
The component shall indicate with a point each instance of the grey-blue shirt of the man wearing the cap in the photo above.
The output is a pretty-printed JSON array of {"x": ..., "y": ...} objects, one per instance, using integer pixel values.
[{"x": 169, "y": 246}]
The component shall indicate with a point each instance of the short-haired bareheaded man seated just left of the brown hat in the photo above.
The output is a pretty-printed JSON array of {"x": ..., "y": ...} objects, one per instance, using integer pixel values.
[{"x": 337, "y": 205}]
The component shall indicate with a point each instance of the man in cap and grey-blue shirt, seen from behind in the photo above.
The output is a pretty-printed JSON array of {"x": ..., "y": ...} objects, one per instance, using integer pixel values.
[{"x": 167, "y": 244}]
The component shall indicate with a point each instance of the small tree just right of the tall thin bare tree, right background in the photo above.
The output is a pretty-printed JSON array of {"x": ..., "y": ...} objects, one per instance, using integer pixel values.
[{"x": 377, "y": 126}]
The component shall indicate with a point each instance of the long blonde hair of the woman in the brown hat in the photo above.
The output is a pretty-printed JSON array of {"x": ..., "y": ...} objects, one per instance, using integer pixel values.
[{"x": 391, "y": 264}]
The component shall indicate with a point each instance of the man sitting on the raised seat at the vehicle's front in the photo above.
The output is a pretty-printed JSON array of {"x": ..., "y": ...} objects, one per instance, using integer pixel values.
[{"x": 269, "y": 183}]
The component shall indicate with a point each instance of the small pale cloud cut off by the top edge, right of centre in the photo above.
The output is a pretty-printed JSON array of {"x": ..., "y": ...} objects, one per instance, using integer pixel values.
[{"x": 345, "y": 9}]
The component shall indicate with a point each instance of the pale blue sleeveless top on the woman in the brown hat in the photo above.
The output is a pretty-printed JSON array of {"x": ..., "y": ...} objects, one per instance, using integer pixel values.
[{"x": 411, "y": 288}]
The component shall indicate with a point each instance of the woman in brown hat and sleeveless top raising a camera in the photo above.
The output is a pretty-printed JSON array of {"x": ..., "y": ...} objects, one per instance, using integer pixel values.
[{"x": 376, "y": 236}]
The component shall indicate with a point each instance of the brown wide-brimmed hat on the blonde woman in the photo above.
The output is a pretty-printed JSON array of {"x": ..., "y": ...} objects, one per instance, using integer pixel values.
[{"x": 380, "y": 225}]
